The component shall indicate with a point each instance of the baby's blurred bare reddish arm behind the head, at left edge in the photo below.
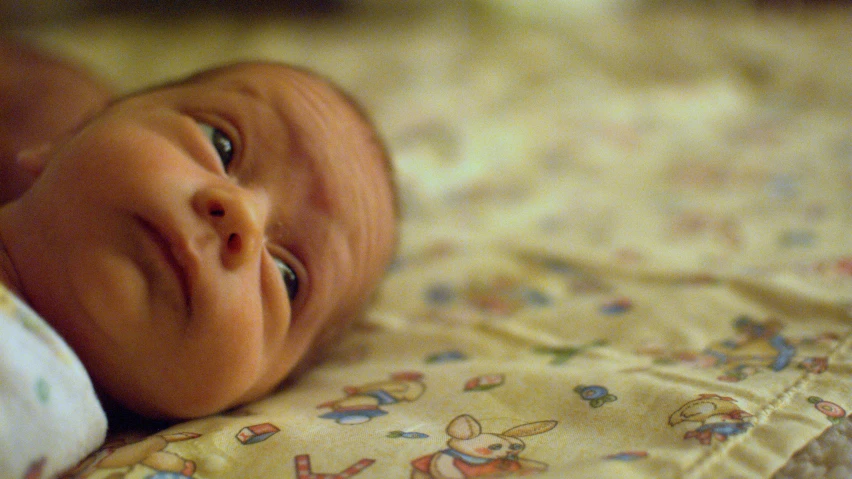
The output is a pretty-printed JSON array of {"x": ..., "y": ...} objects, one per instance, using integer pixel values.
[{"x": 41, "y": 98}]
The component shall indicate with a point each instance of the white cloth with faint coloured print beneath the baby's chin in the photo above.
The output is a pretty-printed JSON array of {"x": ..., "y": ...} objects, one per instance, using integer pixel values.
[{"x": 50, "y": 417}]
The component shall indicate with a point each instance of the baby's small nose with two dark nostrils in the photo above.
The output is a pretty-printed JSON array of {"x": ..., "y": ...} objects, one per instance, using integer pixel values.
[{"x": 237, "y": 216}]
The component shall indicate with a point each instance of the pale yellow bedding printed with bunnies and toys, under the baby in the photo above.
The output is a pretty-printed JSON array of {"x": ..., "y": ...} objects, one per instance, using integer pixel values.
[{"x": 625, "y": 248}]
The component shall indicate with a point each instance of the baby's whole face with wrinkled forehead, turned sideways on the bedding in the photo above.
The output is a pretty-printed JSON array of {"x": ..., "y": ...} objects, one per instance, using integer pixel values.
[{"x": 199, "y": 236}]
